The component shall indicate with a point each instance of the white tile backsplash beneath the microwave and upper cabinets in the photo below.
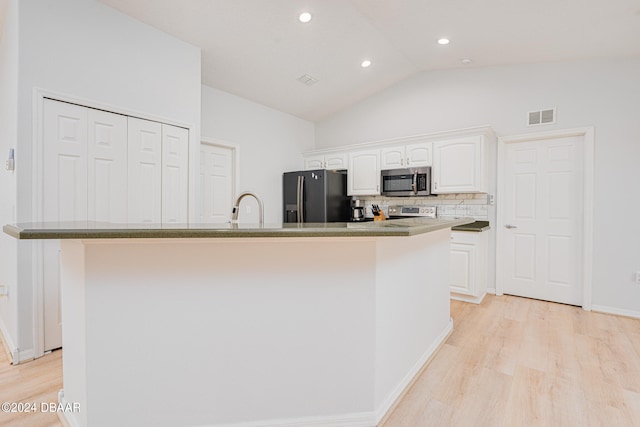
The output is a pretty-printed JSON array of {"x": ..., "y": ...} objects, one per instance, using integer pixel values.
[{"x": 448, "y": 205}]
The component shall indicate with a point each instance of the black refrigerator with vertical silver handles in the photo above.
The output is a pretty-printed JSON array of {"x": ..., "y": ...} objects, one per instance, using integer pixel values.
[{"x": 315, "y": 196}]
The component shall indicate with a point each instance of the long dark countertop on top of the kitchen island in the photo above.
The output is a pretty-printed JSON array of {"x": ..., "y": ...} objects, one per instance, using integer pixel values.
[{"x": 97, "y": 230}]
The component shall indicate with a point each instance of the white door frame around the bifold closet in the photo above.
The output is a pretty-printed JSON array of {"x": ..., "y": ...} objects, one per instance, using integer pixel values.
[{"x": 37, "y": 187}]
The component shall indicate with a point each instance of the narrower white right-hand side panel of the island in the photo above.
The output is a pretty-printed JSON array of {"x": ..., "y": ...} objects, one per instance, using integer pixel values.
[{"x": 412, "y": 309}]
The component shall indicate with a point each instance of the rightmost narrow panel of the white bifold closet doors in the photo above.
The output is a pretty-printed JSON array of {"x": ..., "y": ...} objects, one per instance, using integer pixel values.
[{"x": 175, "y": 174}]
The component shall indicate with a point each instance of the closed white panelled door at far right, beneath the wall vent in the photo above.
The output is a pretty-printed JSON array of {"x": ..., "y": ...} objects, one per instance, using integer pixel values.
[{"x": 542, "y": 231}]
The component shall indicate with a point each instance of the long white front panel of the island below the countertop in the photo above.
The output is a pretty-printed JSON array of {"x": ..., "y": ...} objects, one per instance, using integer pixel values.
[{"x": 200, "y": 332}]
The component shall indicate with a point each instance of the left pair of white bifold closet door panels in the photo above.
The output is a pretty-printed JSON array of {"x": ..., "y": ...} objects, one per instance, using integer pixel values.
[{"x": 84, "y": 178}]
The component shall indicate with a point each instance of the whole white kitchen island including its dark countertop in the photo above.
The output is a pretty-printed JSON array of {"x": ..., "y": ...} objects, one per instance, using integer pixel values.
[{"x": 247, "y": 325}]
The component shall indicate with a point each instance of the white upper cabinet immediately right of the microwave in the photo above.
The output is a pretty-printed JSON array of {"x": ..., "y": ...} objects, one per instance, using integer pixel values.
[{"x": 460, "y": 166}]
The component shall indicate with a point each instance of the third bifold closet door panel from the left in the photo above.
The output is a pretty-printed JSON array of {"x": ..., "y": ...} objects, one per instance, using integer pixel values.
[{"x": 145, "y": 171}]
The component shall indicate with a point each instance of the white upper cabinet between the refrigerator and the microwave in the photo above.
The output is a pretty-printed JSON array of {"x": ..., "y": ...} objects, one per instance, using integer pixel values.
[{"x": 363, "y": 176}]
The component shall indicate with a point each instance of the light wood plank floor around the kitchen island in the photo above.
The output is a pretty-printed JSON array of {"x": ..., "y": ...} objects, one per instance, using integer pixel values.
[{"x": 509, "y": 362}]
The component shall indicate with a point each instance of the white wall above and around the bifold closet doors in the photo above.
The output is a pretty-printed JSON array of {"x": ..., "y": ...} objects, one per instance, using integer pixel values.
[{"x": 84, "y": 49}]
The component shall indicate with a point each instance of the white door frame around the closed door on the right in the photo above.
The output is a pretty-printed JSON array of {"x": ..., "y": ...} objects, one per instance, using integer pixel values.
[{"x": 588, "y": 137}]
